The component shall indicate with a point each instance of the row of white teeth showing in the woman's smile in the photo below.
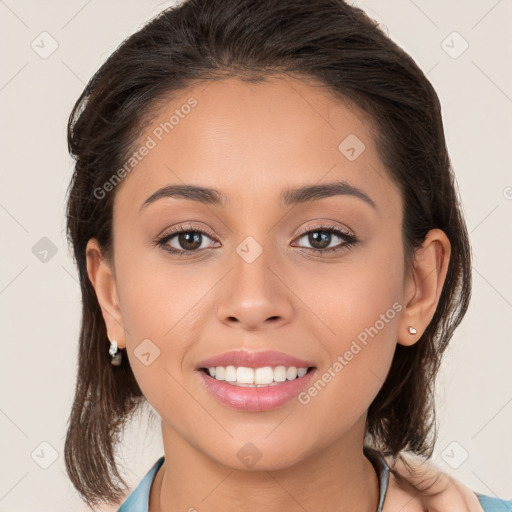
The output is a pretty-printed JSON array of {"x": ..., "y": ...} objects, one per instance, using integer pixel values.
[{"x": 256, "y": 377}]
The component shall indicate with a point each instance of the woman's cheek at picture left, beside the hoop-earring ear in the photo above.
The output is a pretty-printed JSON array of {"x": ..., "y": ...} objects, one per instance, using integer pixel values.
[{"x": 163, "y": 309}]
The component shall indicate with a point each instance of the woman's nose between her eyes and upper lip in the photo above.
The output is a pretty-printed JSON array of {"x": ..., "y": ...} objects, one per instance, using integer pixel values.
[{"x": 253, "y": 295}]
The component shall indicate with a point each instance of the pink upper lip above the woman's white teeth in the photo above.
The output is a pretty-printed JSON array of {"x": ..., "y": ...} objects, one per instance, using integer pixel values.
[{"x": 251, "y": 359}]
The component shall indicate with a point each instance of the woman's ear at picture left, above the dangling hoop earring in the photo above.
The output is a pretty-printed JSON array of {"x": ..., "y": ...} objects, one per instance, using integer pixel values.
[{"x": 102, "y": 276}]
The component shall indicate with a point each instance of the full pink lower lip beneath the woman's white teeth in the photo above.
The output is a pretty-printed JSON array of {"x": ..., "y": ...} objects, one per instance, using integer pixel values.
[{"x": 256, "y": 399}]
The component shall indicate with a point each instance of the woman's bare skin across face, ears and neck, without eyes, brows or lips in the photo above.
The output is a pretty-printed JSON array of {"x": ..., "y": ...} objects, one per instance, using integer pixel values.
[{"x": 251, "y": 141}]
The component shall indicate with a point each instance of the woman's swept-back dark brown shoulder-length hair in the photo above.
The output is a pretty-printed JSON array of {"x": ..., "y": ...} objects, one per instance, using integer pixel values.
[{"x": 333, "y": 43}]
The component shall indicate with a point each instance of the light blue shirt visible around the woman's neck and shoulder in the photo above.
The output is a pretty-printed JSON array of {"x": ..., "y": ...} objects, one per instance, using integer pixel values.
[{"x": 138, "y": 500}]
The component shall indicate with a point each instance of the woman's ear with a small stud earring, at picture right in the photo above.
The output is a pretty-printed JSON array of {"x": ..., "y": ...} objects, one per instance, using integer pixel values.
[{"x": 423, "y": 286}]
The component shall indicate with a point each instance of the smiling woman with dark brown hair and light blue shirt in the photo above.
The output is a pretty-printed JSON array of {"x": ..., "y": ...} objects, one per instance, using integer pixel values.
[{"x": 266, "y": 228}]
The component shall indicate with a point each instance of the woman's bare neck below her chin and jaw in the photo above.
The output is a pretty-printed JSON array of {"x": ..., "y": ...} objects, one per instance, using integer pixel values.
[{"x": 337, "y": 478}]
